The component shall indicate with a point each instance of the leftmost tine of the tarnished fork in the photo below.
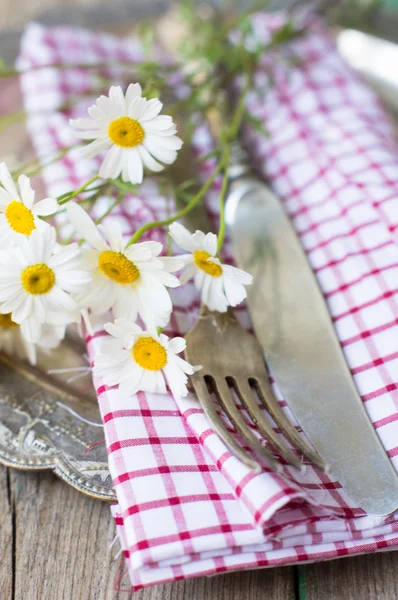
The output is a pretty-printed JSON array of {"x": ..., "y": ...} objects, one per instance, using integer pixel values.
[{"x": 206, "y": 402}]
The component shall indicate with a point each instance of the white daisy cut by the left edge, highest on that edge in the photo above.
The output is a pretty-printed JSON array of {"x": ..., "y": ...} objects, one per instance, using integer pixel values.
[{"x": 19, "y": 213}]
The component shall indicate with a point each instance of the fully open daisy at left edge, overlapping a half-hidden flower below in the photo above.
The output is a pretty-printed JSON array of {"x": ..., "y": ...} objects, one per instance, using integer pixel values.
[{"x": 36, "y": 279}]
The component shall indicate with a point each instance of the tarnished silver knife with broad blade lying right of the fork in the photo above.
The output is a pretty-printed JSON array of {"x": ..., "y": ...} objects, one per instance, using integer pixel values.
[{"x": 292, "y": 322}]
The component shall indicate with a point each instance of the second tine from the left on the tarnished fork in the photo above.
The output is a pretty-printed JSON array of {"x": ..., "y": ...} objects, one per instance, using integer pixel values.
[{"x": 226, "y": 400}]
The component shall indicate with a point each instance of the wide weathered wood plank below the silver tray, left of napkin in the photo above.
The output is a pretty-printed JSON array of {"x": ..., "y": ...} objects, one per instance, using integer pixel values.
[{"x": 62, "y": 540}]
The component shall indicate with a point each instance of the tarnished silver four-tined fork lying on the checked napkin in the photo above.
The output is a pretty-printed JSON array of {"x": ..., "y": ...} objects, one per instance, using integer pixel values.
[{"x": 233, "y": 363}]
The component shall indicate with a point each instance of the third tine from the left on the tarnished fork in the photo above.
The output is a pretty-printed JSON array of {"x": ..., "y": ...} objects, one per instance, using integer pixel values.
[{"x": 248, "y": 399}]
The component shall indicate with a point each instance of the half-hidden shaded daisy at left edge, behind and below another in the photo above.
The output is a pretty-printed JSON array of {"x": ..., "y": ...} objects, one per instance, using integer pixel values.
[{"x": 13, "y": 343}]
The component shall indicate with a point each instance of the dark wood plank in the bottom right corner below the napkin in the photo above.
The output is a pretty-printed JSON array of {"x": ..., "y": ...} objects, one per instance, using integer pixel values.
[{"x": 370, "y": 577}]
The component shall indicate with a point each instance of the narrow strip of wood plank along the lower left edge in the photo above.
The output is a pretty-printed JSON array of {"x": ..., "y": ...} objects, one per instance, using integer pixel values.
[{"x": 6, "y": 537}]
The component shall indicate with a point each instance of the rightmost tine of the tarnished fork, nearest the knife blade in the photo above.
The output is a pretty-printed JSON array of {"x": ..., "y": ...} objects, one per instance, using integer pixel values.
[{"x": 270, "y": 402}]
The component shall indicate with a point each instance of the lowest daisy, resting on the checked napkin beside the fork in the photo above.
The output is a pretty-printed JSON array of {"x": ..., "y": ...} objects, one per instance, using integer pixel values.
[{"x": 138, "y": 360}]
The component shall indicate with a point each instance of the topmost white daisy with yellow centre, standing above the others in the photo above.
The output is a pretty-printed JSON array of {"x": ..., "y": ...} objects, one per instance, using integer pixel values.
[{"x": 131, "y": 129}]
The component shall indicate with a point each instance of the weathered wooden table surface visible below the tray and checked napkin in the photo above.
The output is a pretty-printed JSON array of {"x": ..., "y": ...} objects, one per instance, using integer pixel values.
[{"x": 54, "y": 545}]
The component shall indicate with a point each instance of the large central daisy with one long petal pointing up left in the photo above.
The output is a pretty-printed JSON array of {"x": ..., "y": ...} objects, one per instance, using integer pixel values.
[{"x": 130, "y": 280}]
